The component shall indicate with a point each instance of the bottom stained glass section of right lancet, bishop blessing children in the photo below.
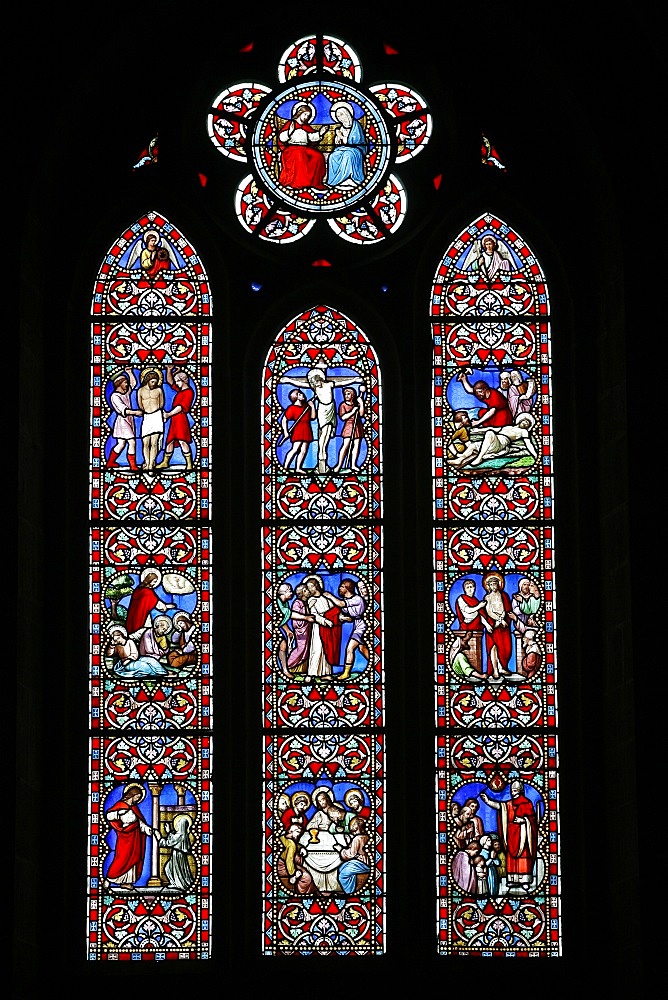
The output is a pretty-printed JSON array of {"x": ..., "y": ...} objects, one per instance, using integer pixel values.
[{"x": 499, "y": 864}]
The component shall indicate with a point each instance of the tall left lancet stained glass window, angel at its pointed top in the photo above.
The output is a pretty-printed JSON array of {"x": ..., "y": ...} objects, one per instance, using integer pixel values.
[{"x": 150, "y": 586}]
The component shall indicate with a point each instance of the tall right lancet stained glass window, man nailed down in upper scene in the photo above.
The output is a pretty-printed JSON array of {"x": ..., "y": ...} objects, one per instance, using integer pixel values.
[{"x": 497, "y": 763}]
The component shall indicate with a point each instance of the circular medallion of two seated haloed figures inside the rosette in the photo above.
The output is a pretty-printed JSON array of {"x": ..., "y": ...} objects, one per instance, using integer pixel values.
[{"x": 321, "y": 147}]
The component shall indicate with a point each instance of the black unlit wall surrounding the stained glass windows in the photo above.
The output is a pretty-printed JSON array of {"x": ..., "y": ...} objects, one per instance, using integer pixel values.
[{"x": 570, "y": 100}]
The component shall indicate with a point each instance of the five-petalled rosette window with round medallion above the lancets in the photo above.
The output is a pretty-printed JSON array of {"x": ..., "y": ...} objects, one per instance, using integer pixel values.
[{"x": 321, "y": 146}]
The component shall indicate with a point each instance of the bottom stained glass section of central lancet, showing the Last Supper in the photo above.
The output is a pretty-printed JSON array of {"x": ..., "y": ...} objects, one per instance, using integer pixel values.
[{"x": 324, "y": 855}]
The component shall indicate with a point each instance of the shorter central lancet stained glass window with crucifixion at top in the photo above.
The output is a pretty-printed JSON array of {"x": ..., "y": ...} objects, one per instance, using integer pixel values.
[{"x": 324, "y": 784}]
